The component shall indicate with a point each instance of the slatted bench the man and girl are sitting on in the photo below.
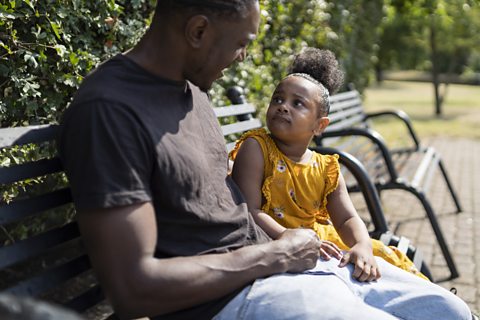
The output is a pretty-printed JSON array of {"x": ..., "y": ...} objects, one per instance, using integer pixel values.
[{"x": 41, "y": 251}]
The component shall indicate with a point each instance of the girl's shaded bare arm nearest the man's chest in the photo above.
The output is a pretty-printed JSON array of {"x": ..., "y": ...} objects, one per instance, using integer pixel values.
[{"x": 247, "y": 172}]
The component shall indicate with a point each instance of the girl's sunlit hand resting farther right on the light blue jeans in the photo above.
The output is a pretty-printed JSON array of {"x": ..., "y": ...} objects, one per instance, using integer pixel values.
[{"x": 366, "y": 268}]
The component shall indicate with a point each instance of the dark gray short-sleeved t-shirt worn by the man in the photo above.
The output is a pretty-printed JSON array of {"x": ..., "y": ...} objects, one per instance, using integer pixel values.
[{"x": 130, "y": 137}]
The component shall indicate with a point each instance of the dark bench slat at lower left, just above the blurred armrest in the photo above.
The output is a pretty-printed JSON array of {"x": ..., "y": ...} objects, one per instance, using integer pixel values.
[{"x": 51, "y": 278}]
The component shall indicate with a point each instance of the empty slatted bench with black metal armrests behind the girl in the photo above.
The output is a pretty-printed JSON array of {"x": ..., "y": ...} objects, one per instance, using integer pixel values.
[{"x": 409, "y": 168}]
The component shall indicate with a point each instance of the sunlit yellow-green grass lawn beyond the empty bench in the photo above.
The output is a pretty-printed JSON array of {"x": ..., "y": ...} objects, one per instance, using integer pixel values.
[{"x": 461, "y": 109}]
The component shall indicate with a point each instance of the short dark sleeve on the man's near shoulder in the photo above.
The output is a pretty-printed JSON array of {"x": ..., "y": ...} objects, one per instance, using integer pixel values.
[{"x": 107, "y": 155}]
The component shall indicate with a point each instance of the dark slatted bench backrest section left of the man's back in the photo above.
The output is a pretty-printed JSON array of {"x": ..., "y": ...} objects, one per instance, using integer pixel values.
[{"x": 41, "y": 250}]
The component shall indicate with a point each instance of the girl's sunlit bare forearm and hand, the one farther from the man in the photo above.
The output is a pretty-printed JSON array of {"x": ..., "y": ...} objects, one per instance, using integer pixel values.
[{"x": 353, "y": 232}]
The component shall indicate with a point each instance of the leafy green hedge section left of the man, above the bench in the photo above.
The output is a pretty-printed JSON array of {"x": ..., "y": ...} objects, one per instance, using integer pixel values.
[{"x": 48, "y": 46}]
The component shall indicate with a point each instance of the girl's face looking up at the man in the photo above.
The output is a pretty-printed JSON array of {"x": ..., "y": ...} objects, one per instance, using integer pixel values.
[{"x": 294, "y": 110}]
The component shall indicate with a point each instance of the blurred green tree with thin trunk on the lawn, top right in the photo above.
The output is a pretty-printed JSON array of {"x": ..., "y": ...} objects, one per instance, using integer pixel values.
[{"x": 441, "y": 35}]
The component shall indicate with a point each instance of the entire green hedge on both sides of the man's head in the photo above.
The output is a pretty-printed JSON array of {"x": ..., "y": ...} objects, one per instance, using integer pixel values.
[{"x": 48, "y": 46}]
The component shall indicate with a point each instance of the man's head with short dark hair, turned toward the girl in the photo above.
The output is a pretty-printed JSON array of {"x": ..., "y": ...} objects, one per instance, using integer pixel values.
[{"x": 215, "y": 33}]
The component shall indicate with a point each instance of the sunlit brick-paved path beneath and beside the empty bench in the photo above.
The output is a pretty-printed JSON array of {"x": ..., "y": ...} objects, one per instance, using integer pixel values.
[{"x": 406, "y": 217}]
